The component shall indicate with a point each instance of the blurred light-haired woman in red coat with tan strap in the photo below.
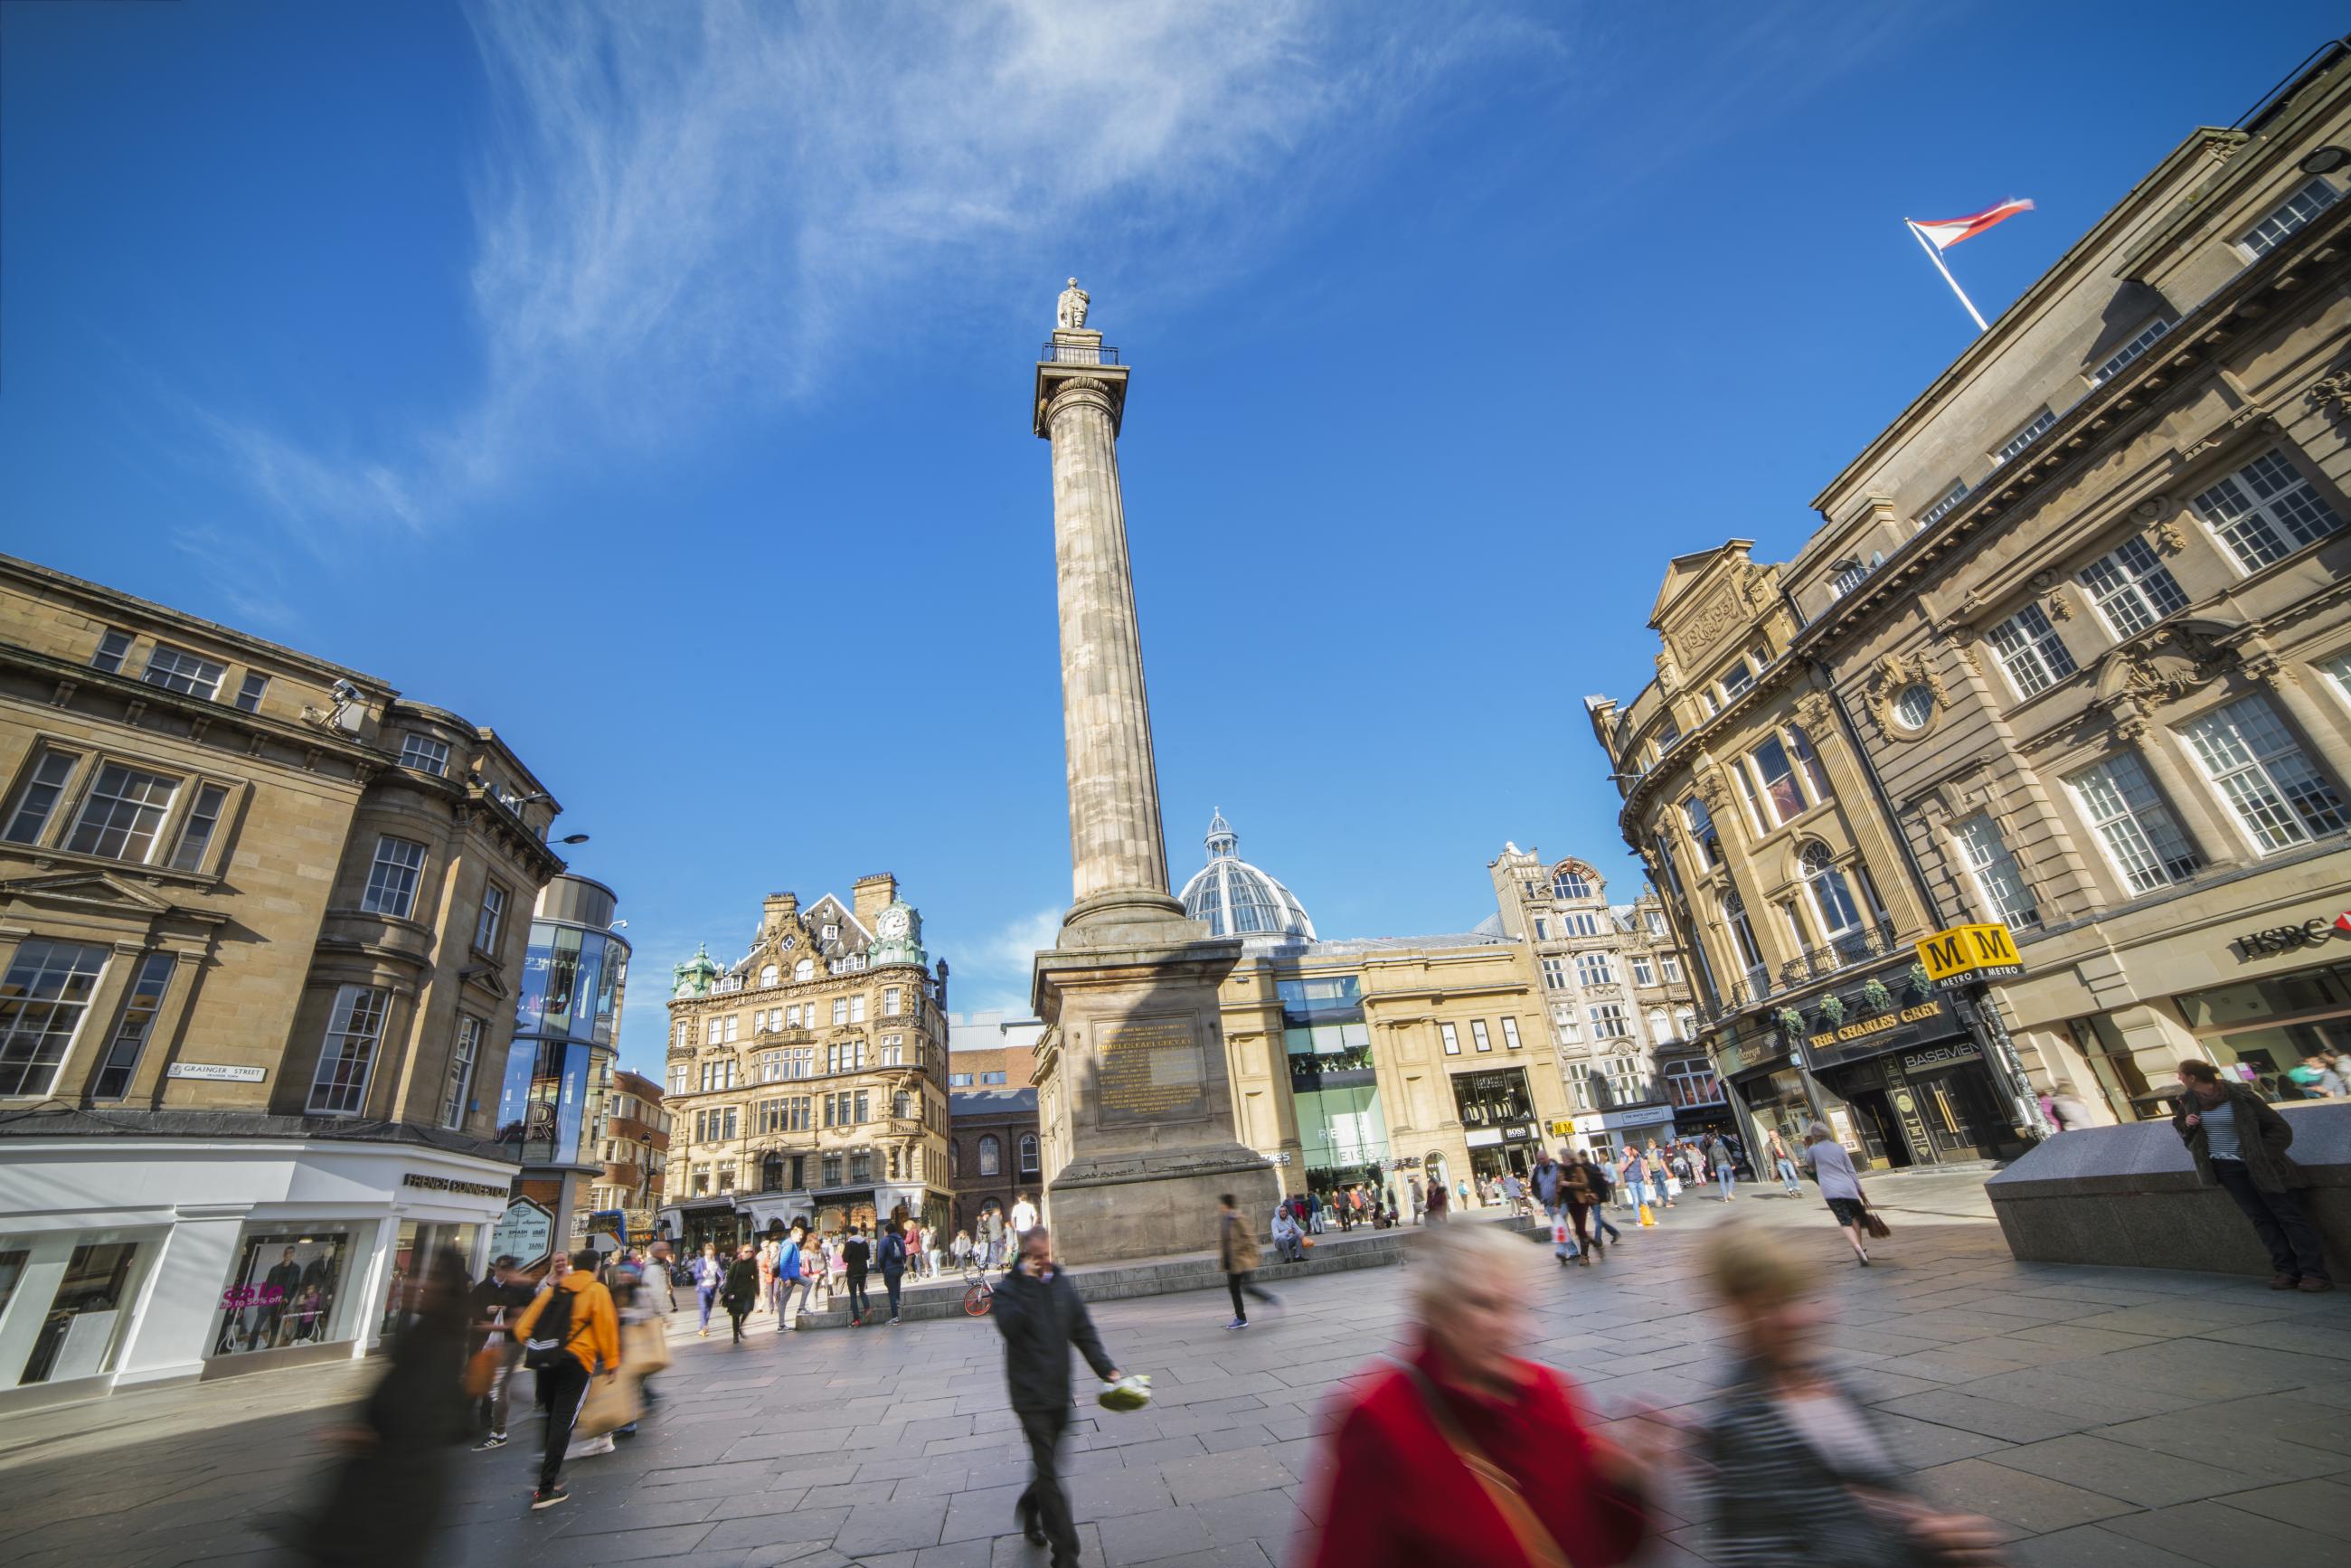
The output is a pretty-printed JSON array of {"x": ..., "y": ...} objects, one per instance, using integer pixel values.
[{"x": 1468, "y": 1454}]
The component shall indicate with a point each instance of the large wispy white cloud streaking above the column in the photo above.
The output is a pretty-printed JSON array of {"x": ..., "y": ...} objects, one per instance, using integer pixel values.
[{"x": 683, "y": 208}]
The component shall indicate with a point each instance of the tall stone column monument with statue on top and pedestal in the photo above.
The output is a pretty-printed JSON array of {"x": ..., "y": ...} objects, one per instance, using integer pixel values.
[{"x": 1132, "y": 1083}]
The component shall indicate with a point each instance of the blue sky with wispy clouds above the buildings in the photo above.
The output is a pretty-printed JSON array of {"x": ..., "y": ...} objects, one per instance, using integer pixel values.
[{"x": 652, "y": 384}]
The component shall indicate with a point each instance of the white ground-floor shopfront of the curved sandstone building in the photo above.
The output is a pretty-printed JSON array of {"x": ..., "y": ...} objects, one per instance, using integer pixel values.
[{"x": 130, "y": 1261}]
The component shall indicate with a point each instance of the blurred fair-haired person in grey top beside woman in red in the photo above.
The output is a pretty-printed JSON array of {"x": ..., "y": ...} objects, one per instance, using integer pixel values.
[{"x": 1800, "y": 1473}]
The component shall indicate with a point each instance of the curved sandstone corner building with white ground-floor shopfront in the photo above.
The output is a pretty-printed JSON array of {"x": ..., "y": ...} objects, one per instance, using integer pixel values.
[{"x": 262, "y": 927}]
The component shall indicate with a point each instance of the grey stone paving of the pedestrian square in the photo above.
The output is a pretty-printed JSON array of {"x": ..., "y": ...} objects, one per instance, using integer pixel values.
[{"x": 2101, "y": 1416}]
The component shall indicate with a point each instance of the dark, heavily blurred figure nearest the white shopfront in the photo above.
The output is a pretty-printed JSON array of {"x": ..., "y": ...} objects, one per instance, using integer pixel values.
[{"x": 384, "y": 1503}]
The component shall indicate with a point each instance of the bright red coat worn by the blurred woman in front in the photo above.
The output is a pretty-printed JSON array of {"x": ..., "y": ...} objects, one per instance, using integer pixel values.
[{"x": 1395, "y": 1494}]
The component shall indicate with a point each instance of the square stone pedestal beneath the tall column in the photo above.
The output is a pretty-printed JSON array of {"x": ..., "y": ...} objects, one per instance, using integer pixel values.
[{"x": 1137, "y": 1061}]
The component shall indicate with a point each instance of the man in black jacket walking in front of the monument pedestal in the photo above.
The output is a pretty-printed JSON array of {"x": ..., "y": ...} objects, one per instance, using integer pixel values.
[{"x": 1040, "y": 1315}]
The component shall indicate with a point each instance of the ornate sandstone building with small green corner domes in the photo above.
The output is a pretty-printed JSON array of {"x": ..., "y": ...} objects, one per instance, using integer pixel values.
[{"x": 808, "y": 1080}]
